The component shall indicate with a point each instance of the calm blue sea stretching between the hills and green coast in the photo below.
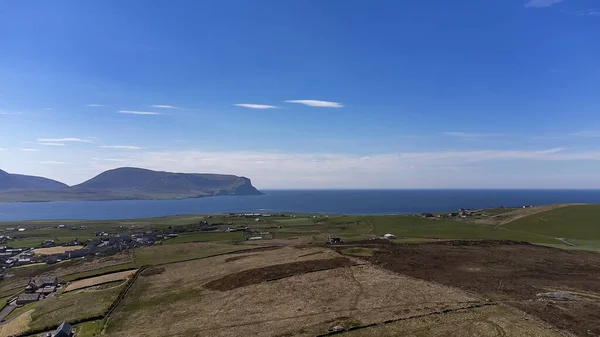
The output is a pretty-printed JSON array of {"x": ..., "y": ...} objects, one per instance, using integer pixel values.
[{"x": 323, "y": 201}]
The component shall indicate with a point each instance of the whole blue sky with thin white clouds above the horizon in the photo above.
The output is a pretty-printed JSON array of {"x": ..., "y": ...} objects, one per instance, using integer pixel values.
[{"x": 305, "y": 94}]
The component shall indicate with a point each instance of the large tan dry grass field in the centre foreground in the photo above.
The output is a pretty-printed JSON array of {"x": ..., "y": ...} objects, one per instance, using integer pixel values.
[{"x": 301, "y": 305}]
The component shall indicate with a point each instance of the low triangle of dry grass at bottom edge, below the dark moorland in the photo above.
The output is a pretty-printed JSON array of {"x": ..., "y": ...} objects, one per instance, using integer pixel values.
[{"x": 490, "y": 321}]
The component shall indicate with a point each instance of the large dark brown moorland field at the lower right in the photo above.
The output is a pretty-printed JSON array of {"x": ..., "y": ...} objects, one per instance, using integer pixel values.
[{"x": 509, "y": 271}]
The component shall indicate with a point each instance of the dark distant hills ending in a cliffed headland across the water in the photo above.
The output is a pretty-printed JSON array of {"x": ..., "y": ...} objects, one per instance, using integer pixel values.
[{"x": 125, "y": 183}]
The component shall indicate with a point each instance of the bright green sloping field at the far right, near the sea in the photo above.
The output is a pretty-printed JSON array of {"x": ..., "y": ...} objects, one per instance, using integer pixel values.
[{"x": 575, "y": 222}]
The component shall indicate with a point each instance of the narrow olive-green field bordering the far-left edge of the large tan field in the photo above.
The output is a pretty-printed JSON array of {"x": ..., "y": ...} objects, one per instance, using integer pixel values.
[{"x": 161, "y": 254}]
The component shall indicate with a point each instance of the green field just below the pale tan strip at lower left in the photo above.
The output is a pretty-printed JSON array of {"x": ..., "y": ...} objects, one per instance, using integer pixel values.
[{"x": 73, "y": 306}]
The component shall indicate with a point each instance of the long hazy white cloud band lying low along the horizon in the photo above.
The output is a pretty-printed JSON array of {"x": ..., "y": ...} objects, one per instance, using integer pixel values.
[{"x": 310, "y": 170}]
